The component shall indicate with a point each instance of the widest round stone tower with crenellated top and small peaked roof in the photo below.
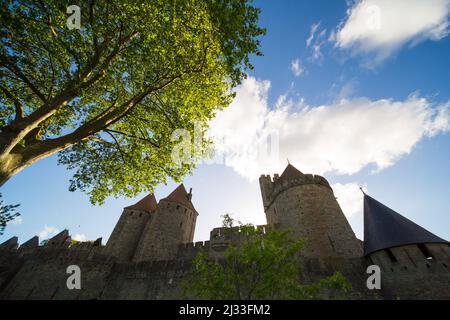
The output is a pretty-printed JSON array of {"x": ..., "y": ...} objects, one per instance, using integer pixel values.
[{"x": 305, "y": 204}]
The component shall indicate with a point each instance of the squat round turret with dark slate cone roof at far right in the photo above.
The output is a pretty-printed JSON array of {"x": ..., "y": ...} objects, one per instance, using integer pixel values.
[{"x": 406, "y": 253}]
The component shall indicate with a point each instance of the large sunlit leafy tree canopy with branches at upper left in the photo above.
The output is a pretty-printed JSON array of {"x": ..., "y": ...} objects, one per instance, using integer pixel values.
[{"x": 108, "y": 96}]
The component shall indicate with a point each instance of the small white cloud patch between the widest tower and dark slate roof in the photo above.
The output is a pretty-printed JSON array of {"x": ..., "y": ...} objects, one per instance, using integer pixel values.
[{"x": 349, "y": 197}]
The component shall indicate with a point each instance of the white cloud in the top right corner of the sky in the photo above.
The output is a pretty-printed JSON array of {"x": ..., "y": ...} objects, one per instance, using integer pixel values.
[{"x": 383, "y": 26}]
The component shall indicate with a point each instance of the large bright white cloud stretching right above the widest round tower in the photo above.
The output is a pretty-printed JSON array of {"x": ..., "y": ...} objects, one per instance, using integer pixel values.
[{"x": 343, "y": 137}]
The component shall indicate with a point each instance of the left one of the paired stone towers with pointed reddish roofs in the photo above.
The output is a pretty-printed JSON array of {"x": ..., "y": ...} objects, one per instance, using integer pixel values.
[{"x": 128, "y": 231}]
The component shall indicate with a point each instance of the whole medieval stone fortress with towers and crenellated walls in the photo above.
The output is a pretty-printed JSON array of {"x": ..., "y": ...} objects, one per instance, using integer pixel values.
[{"x": 149, "y": 251}]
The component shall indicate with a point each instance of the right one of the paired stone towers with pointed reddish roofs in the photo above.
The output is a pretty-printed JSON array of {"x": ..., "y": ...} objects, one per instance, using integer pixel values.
[{"x": 173, "y": 224}]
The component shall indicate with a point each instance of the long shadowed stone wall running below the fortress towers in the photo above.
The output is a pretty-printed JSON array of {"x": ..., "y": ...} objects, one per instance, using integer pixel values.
[{"x": 40, "y": 273}]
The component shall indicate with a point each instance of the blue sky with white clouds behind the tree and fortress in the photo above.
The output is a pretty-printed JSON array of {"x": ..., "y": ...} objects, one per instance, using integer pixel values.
[{"x": 364, "y": 102}]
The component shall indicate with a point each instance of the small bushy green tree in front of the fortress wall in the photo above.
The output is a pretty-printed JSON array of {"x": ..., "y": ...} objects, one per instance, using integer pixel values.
[{"x": 259, "y": 265}]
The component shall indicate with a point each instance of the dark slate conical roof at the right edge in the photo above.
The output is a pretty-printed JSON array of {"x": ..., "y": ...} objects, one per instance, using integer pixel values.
[{"x": 384, "y": 228}]
